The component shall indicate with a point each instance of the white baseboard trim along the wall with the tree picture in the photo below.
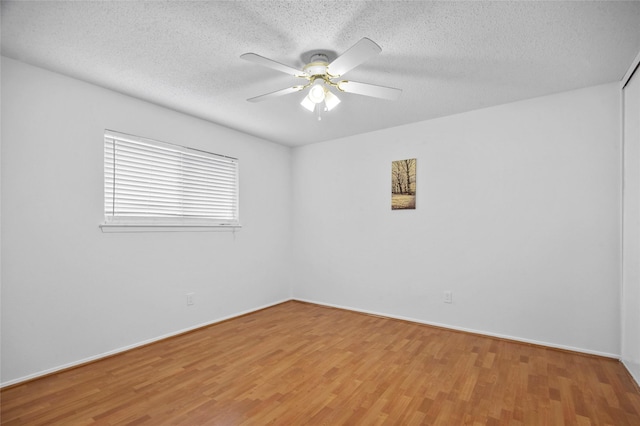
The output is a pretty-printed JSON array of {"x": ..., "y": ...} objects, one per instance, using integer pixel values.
[{"x": 468, "y": 330}]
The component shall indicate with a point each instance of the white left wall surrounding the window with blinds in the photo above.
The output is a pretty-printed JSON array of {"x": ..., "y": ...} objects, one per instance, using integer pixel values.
[{"x": 71, "y": 292}]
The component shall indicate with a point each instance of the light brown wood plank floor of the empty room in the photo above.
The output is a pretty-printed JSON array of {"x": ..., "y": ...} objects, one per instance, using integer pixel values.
[{"x": 302, "y": 364}]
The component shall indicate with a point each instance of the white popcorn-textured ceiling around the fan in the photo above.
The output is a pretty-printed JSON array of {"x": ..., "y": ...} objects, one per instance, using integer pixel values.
[{"x": 448, "y": 57}]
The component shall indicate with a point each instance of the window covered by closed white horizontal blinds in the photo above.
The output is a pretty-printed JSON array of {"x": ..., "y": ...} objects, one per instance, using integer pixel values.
[{"x": 150, "y": 183}]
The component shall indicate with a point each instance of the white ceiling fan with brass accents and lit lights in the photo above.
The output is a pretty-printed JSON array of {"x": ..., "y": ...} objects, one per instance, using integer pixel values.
[{"x": 321, "y": 76}]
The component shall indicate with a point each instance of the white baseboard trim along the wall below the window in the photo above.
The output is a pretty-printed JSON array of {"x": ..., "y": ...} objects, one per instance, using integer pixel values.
[{"x": 133, "y": 346}]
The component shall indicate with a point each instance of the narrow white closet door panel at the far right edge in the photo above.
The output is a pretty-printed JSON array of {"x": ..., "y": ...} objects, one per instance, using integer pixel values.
[{"x": 631, "y": 229}]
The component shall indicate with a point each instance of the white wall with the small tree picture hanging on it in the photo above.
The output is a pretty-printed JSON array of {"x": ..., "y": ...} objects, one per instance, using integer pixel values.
[{"x": 518, "y": 213}]
